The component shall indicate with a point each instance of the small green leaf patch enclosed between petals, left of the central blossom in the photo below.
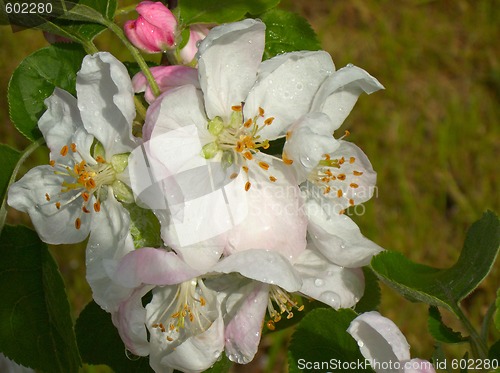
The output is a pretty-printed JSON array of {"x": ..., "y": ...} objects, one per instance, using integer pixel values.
[{"x": 144, "y": 227}]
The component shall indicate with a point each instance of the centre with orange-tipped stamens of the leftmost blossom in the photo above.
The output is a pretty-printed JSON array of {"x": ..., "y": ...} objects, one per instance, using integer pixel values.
[{"x": 85, "y": 179}]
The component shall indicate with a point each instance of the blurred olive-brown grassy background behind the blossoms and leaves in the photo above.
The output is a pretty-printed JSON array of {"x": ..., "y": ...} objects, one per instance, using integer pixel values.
[{"x": 433, "y": 137}]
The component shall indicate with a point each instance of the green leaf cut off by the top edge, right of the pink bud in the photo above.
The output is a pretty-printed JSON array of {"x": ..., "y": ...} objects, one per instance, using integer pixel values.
[{"x": 221, "y": 11}]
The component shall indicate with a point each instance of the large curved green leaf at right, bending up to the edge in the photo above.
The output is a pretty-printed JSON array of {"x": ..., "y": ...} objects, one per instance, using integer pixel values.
[{"x": 444, "y": 287}]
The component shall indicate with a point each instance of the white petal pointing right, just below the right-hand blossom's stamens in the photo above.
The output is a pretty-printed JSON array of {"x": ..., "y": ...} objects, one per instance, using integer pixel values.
[{"x": 338, "y": 238}]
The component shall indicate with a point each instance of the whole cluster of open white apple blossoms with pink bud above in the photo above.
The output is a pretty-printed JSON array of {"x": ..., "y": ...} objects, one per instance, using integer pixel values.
[{"x": 247, "y": 231}]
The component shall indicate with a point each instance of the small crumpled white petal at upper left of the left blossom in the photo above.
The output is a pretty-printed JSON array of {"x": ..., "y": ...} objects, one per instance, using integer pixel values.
[{"x": 59, "y": 122}]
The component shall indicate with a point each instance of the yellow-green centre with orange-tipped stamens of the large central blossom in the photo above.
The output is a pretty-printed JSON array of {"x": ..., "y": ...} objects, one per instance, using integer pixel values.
[{"x": 238, "y": 141}]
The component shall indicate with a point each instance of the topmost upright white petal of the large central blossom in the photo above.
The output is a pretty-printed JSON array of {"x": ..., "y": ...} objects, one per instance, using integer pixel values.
[{"x": 229, "y": 58}]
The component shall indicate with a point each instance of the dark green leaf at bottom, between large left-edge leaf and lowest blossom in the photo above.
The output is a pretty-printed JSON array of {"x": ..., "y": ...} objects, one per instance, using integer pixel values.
[{"x": 100, "y": 343}]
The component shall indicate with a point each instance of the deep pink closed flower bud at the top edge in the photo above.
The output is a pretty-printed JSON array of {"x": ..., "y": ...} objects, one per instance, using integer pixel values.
[{"x": 155, "y": 28}]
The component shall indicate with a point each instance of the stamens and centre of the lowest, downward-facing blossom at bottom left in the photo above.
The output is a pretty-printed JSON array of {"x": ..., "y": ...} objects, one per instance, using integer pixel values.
[{"x": 187, "y": 312}]
